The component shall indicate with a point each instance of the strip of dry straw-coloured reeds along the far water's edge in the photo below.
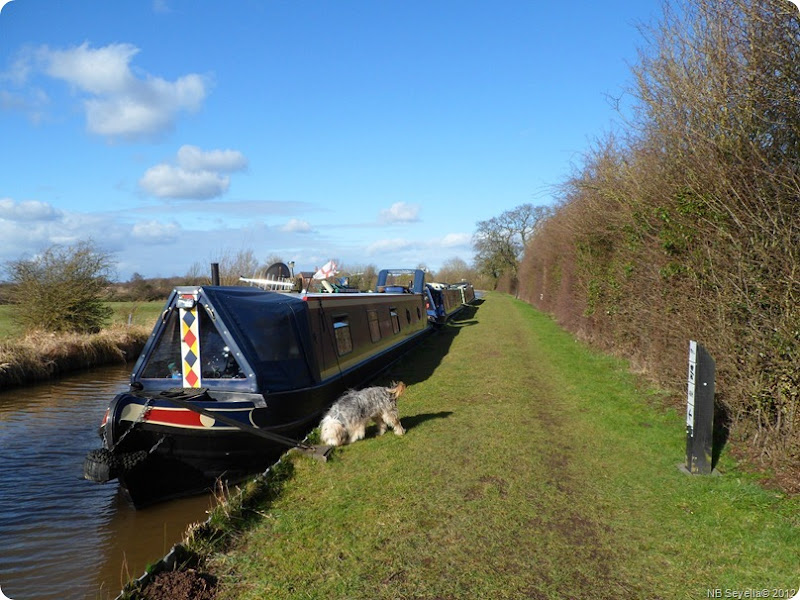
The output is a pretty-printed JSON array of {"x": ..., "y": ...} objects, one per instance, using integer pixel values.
[{"x": 39, "y": 355}]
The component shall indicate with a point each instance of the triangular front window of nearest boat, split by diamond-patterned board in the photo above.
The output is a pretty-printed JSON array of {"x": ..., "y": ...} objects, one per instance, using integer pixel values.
[{"x": 216, "y": 358}]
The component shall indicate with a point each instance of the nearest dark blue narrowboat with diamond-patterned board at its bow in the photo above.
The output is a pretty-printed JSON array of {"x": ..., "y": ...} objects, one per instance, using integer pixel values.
[{"x": 232, "y": 376}]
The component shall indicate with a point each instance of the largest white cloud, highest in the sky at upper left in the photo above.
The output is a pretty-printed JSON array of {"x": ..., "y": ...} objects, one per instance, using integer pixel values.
[{"x": 118, "y": 103}]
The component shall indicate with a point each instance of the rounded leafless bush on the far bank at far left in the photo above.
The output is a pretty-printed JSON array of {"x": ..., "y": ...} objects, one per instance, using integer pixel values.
[{"x": 62, "y": 289}]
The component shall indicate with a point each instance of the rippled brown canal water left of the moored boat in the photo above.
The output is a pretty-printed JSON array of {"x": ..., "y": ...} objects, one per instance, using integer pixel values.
[{"x": 61, "y": 536}]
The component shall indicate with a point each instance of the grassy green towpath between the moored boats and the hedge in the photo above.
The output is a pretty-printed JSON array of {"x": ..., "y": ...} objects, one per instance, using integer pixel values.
[{"x": 531, "y": 468}]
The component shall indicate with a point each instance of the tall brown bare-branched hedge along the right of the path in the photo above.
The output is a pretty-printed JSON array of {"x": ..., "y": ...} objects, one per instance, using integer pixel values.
[{"x": 688, "y": 226}]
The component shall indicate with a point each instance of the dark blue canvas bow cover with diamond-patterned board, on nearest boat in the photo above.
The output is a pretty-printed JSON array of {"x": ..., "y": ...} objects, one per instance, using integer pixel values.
[{"x": 240, "y": 338}]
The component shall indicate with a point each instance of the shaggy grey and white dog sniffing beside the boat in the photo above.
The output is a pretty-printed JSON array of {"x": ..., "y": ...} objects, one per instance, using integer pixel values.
[{"x": 347, "y": 419}]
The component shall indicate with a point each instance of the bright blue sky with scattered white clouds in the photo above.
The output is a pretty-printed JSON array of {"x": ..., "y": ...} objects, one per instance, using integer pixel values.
[{"x": 172, "y": 132}]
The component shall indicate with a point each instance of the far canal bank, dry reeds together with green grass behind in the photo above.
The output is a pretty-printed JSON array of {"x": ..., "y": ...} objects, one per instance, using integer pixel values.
[{"x": 38, "y": 356}]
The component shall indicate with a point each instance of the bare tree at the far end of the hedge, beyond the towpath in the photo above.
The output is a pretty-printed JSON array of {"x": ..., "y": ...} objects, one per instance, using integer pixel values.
[{"x": 500, "y": 241}]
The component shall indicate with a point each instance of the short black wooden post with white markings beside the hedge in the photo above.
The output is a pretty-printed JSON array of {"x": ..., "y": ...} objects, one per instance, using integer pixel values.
[{"x": 700, "y": 411}]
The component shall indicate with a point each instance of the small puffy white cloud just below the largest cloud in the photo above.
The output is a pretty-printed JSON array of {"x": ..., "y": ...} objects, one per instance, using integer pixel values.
[{"x": 197, "y": 176}]
